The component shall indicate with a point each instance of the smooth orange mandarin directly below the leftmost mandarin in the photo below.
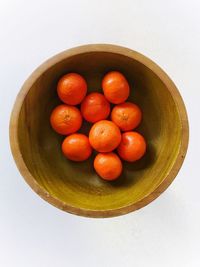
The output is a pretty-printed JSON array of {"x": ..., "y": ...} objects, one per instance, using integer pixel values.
[{"x": 76, "y": 147}]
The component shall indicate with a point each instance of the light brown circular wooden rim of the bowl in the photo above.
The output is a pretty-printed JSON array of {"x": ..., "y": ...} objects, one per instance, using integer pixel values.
[{"x": 109, "y": 48}]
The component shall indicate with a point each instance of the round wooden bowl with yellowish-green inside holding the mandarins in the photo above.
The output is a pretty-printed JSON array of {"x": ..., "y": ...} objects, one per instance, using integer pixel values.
[{"x": 75, "y": 187}]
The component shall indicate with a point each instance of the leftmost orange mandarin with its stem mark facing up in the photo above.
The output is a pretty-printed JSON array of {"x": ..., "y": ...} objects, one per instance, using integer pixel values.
[{"x": 66, "y": 119}]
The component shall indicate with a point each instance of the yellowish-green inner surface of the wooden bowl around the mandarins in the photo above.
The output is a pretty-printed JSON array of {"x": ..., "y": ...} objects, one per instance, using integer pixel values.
[{"x": 76, "y": 183}]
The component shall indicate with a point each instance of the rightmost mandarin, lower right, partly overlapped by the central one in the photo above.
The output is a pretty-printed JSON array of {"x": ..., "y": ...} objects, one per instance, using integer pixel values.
[{"x": 132, "y": 146}]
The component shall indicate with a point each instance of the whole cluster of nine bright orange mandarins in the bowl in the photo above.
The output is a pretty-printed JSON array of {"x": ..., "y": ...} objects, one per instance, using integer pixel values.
[{"x": 105, "y": 135}]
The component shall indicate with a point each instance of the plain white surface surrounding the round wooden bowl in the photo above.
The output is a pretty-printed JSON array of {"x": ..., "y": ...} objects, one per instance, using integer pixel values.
[{"x": 166, "y": 232}]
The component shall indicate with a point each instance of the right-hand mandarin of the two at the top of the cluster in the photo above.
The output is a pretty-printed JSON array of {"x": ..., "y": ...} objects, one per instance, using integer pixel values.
[{"x": 115, "y": 87}]
